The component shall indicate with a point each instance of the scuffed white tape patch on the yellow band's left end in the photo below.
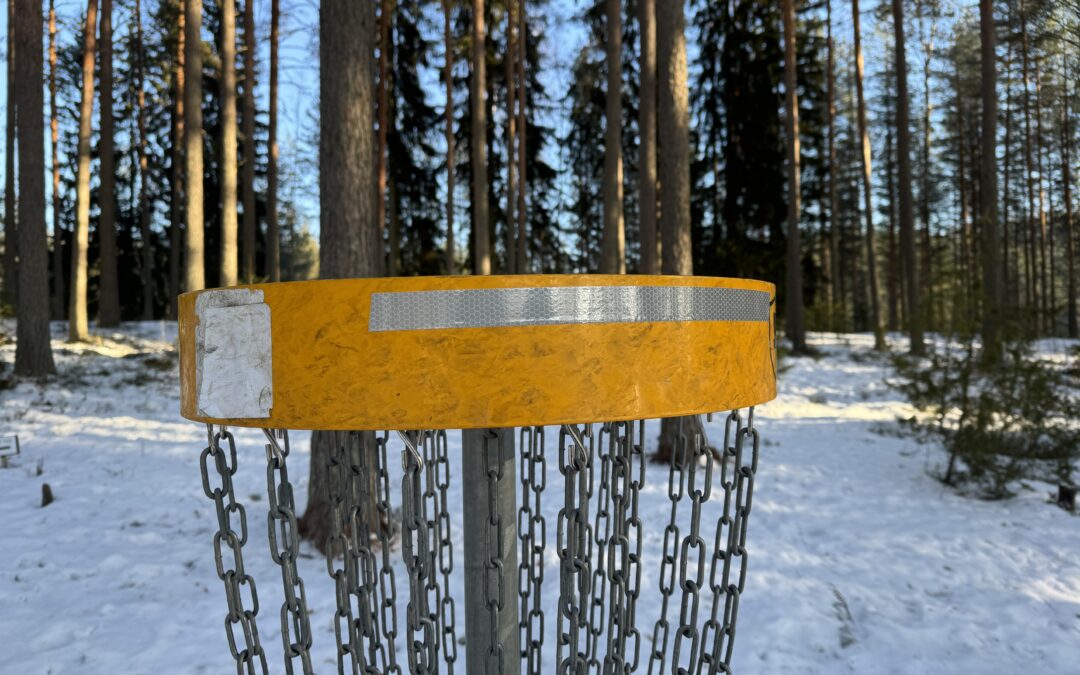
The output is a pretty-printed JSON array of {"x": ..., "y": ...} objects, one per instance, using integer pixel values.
[{"x": 234, "y": 355}]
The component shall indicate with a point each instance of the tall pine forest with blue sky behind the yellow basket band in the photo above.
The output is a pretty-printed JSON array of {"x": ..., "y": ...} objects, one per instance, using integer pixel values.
[{"x": 929, "y": 192}]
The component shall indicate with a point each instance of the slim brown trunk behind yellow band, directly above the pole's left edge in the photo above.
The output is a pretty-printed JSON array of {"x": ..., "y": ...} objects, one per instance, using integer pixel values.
[{"x": 478, "y": 142}]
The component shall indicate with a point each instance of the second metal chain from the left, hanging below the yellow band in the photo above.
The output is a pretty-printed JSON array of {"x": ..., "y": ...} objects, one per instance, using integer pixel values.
[{"x": 285, "y": 551}]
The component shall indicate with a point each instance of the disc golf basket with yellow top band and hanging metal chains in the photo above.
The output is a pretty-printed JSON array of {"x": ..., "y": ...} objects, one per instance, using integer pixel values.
[{"x": 391, "y": 364}]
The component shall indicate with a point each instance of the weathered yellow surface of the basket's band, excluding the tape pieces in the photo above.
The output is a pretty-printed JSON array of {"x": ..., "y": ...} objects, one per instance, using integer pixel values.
[{"x": 331, "y": 373}]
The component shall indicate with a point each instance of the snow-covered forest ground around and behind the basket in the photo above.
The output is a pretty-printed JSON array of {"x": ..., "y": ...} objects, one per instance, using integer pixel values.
[{"x": 859, "y": 561}]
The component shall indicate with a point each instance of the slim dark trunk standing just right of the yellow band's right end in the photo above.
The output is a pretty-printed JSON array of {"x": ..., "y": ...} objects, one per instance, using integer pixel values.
[{"x": 795, "y": 328}]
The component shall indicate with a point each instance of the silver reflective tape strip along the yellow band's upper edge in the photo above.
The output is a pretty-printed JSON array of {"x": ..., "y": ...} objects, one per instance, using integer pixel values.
[{"x": 422, "y": 310}]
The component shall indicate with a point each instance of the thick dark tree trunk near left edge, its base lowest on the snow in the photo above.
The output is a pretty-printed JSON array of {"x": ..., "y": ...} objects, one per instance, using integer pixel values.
[{"x": 34, "y": 356}]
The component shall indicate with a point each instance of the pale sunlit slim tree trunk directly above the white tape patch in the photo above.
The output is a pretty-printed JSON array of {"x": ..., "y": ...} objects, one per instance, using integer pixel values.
[{"x": 229, "y": 219}]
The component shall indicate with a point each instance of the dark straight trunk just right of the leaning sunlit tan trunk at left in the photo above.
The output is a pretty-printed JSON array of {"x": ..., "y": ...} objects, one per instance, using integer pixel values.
[{"x": 109, "y": 310}]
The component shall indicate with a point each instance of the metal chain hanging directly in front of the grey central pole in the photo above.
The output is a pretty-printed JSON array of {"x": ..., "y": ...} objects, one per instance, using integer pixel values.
[{"x": 494, "y": 590}]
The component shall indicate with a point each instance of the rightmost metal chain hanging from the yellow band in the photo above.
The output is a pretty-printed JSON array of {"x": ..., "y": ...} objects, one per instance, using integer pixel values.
[{"x": 731, "y": 544}]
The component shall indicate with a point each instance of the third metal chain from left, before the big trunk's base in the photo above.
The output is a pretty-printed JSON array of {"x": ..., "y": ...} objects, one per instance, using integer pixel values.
[{"x": 339, "y": 489}]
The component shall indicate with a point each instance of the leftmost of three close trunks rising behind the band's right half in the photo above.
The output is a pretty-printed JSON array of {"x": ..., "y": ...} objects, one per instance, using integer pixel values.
[{"x": 613, "y": 246}]
